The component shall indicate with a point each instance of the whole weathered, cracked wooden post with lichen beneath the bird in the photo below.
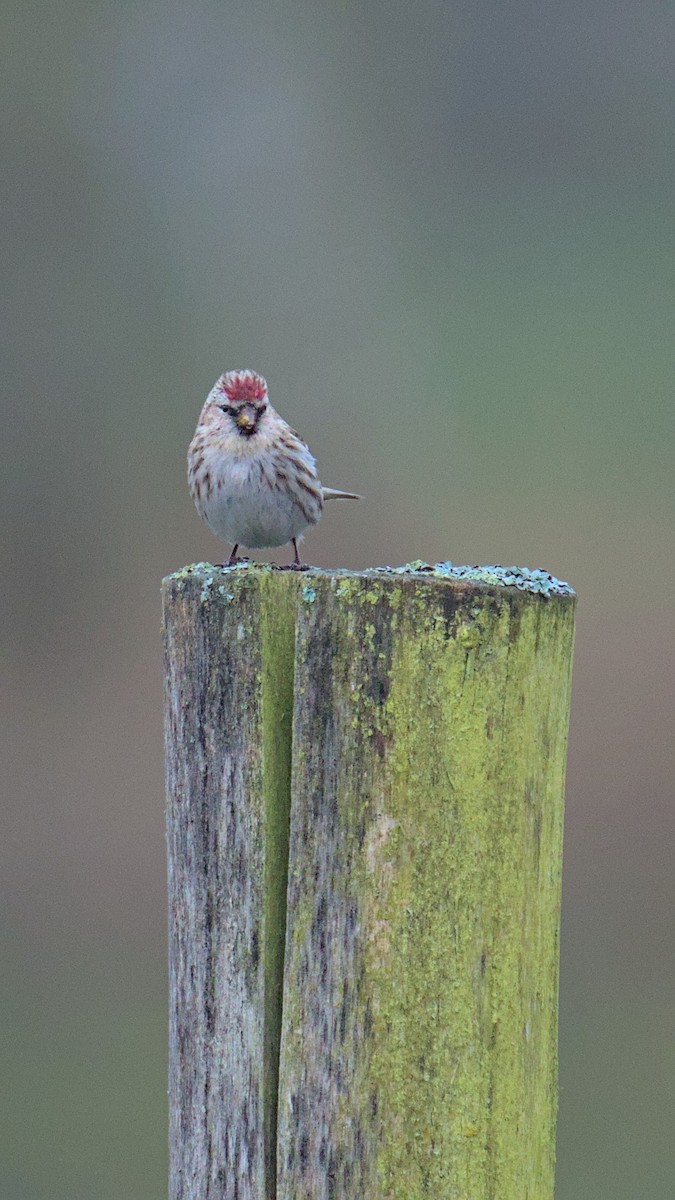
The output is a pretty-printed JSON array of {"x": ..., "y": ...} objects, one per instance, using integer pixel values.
[{"x": 366, "y": 779}]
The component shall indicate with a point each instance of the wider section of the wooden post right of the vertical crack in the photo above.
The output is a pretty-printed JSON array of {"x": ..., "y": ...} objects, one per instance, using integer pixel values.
[{"x": 421, "y": 995}]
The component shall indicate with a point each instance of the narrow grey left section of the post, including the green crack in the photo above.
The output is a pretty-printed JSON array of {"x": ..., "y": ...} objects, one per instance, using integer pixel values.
[{"x": 229, "y": 703}]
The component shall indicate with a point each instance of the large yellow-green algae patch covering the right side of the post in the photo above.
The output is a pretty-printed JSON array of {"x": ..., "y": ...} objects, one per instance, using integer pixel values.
[{"x": 465, "y": 1009}]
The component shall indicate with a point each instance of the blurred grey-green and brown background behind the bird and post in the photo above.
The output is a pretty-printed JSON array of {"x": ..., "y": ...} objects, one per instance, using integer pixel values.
[{"x": 445, "y": 235}]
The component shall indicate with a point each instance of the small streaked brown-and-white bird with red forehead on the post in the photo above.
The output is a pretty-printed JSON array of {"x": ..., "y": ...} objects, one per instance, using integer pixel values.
[{"x": 253, "y": 478}]
